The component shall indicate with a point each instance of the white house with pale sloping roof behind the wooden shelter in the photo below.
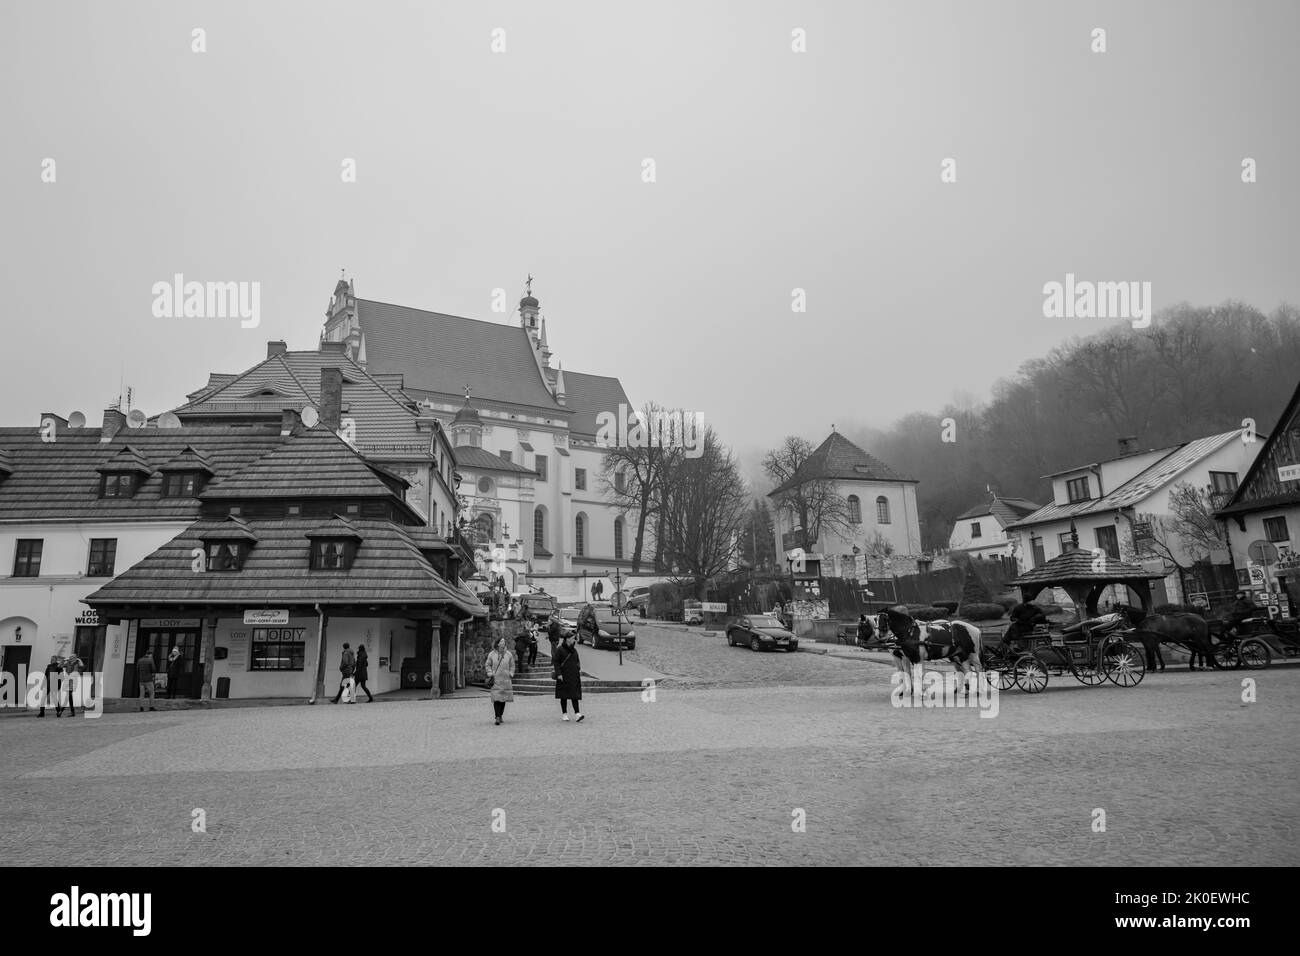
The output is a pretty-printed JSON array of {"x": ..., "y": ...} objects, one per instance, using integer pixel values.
[{"x": 1112, "y": 508}]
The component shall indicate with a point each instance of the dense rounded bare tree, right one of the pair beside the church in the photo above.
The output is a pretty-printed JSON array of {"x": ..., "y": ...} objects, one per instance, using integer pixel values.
[{"x": 703, "y": 512}]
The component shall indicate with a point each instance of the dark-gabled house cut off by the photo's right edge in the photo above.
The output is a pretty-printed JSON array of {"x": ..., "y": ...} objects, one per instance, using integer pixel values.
[{"x": 1267, "y": 508}]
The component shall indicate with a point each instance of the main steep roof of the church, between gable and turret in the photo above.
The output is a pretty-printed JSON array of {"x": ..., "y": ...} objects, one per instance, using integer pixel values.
[{"x": 443, "y": 353}]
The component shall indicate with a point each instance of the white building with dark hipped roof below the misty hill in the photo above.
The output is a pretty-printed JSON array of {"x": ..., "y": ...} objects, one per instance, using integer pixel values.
[{"x": 883, "y": 534}]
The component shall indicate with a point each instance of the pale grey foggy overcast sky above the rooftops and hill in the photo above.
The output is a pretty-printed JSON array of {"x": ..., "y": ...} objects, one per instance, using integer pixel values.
[{"x": 775, "y": 171}]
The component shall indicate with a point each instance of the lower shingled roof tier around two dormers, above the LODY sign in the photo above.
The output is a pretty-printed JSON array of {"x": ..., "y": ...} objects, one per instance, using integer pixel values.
[{"x": 388, "y": 570}]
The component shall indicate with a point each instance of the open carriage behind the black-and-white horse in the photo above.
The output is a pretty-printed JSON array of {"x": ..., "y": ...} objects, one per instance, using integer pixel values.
[{"x": 1093, "y": 651}]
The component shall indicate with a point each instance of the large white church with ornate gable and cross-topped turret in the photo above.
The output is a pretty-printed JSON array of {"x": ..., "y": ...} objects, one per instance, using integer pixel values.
[{"x": 526, "y": 431}]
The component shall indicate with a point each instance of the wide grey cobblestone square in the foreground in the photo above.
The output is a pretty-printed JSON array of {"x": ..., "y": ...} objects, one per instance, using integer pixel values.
[{"x": 1185, "y": 772}]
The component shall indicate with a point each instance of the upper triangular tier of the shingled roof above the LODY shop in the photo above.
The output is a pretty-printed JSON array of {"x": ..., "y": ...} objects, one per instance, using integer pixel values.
[{"x": 315, "y": 464}]
